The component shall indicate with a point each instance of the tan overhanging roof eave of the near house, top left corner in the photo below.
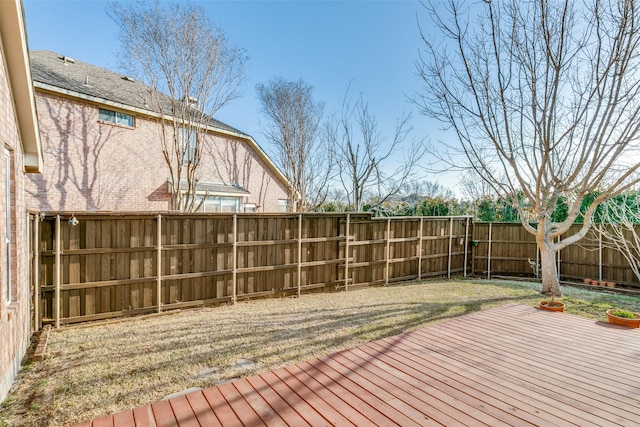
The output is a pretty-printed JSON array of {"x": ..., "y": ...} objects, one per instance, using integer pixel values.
[{"x": 16, "y": 52}]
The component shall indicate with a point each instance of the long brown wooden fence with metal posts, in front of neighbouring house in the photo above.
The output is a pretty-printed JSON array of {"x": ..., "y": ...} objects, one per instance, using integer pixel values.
[{"x": 117, "y": 265}]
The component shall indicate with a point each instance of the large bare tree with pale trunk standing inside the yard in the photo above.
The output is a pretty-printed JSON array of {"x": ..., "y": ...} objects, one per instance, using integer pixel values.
[{"x": 543, "y": 98}]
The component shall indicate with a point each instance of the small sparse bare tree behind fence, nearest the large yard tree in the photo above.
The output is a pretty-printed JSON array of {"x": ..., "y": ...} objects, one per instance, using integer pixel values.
[{"x": 361, "y": 152}]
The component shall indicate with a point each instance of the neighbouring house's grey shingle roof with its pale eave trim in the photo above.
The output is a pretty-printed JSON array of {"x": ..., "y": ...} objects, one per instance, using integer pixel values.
[{"x": 63, "y": 75}]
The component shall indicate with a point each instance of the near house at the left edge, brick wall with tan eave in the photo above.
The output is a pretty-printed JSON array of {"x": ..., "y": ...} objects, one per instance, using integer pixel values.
[{"x": 21, "y": 155}]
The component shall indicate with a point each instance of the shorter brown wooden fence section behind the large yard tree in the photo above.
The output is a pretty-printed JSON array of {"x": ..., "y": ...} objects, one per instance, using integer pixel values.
[{"x": 508, "y": 249}]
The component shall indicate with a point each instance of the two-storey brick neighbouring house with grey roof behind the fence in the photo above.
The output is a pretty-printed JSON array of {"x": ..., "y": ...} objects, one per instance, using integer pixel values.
[{"x": 102, "y": 151}]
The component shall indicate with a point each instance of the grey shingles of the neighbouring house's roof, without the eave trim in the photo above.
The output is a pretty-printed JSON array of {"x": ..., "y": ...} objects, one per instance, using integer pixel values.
[{"x": 60, "y": 71}]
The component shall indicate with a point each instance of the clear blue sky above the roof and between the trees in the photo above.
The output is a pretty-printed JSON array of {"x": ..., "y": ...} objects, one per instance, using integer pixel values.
[{"x": 328, "y": 44}]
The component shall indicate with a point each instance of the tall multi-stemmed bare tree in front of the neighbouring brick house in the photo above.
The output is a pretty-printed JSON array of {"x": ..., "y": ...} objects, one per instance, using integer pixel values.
[{"x": 192, "y": 71}]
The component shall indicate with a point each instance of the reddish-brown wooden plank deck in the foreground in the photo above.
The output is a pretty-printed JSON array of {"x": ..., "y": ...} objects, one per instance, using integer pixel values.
[{"x": 514, "y": 365}]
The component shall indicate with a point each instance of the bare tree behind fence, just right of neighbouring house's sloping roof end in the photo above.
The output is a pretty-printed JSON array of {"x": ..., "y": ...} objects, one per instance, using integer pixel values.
[{"x": 293, "y": 118}]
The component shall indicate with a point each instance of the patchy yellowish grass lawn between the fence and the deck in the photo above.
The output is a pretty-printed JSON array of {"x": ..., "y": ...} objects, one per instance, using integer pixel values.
[{"x": 102, "y": 369}]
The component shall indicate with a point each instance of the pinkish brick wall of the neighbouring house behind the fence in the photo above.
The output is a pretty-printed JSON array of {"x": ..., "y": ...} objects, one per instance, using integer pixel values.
[{"x": 92, "y": 165}]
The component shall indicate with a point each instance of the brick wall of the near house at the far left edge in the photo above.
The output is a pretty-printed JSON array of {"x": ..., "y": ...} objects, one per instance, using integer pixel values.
[{"x": 14, "y": 316}]
